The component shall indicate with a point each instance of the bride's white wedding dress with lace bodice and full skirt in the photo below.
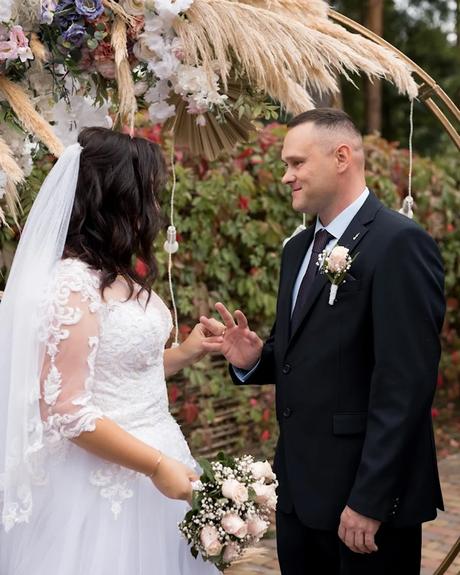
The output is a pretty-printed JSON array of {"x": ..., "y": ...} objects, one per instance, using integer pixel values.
[{"x": 104, "y": 358}]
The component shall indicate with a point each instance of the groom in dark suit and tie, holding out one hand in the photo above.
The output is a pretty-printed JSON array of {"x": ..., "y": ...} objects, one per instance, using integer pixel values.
[{"x": 356, "y": 458}]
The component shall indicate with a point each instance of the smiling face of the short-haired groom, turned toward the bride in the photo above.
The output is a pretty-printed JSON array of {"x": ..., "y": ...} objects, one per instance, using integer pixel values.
[{"x": 311, "y": 170}]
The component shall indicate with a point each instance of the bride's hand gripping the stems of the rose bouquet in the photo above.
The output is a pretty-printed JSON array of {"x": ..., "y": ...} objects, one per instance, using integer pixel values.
[{"x": 173, "y": 479}]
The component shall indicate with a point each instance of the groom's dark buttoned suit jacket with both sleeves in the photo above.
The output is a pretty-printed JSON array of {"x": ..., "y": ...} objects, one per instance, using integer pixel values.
[{"x": 355, "y": 381}]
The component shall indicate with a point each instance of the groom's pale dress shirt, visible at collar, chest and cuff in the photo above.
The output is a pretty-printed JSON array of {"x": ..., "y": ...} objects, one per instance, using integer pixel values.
[{"x": 336, "y": 228}]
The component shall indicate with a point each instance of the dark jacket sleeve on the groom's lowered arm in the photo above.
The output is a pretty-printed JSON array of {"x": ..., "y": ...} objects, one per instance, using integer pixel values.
[{"x": 407, "y": 313}]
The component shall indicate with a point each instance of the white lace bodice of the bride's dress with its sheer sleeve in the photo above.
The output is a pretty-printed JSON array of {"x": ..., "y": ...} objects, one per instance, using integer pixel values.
[{"x": 104, "y": 358}]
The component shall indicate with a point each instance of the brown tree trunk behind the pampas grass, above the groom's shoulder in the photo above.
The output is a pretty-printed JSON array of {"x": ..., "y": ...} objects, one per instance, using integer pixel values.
[{"x": 373, "y": 90}]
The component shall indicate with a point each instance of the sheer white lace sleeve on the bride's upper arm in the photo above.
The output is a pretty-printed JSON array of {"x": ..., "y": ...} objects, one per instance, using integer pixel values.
[{"x": 72, "y": 330}]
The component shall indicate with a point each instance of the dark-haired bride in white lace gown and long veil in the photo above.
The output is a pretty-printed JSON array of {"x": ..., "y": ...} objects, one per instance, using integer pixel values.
[{"x": 95, "y": 472}]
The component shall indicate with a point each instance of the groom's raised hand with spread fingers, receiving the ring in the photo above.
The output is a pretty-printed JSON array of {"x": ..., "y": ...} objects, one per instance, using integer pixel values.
[{"x": 232, "y": 338}]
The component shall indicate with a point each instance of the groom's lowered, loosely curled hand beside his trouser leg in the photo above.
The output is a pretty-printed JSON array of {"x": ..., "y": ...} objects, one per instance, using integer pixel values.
[{"x": 357, "y": 531}]
